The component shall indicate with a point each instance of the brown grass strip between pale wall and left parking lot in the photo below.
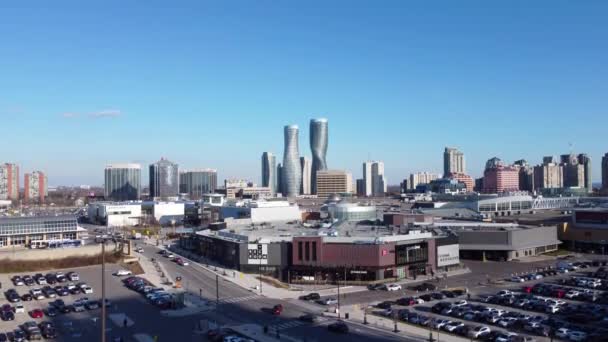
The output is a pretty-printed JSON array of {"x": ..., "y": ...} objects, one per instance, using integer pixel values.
[{"x": 20, "y": 266}]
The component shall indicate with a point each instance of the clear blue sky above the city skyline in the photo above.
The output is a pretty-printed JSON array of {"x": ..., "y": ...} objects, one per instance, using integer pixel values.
[{"x": 211, "y": 83}]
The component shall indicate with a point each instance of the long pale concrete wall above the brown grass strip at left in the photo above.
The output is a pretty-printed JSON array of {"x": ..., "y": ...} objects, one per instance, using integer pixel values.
[{"x": 52, "y": 254}]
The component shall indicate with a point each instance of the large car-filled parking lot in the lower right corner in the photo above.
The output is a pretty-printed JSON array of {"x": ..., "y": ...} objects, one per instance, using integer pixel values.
[{"x": 567, "y": 304}]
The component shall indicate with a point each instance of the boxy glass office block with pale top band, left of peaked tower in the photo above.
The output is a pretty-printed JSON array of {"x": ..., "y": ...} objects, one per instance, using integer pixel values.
[{"x": 122, "y": 182}]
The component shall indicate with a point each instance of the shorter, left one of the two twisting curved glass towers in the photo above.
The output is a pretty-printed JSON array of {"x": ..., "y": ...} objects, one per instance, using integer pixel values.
[{"x": 292, "y": 172}]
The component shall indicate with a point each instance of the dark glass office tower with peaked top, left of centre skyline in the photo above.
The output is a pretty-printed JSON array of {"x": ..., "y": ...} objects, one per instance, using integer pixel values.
[{"x": 164, "y": 179}]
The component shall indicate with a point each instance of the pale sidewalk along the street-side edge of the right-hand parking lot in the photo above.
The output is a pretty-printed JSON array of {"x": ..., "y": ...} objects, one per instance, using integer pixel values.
[{"x": 408, "y": 331}]
